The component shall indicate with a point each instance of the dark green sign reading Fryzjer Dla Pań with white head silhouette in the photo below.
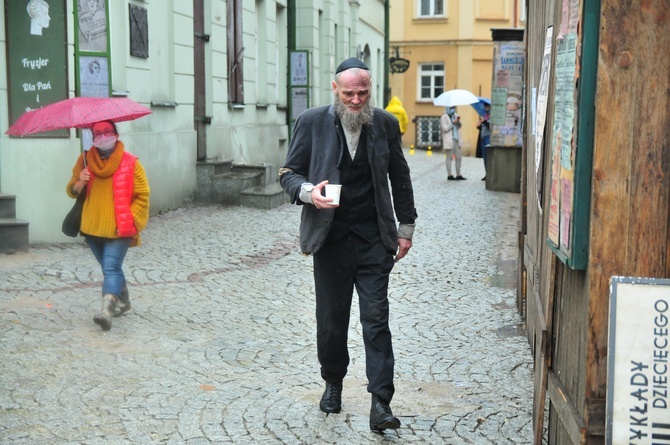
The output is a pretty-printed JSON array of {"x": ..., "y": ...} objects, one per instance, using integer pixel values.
[{"x": 36, "y": 57}]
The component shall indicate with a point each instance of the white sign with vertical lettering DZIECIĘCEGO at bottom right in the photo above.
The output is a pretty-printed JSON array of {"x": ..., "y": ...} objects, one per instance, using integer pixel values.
[{"x": 638, "y": 397}]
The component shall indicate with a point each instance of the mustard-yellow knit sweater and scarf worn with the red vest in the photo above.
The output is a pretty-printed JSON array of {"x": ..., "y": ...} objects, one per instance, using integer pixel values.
[{"x": 98, "y": 217}]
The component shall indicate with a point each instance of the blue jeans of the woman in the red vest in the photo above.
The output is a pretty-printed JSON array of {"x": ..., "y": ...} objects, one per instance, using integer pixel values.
[{"x": 110, "y": 253}]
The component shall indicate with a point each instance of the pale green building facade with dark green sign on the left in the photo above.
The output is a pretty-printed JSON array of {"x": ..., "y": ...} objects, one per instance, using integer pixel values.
[{"x": 215, "y": 73}]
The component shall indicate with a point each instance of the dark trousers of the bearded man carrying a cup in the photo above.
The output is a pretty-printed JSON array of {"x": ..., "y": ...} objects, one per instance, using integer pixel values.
[{"x": 339, "y": 266}]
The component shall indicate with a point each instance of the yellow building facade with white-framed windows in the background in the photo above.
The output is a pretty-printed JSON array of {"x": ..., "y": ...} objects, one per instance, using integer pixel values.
[{"x": 448, "y": 45}]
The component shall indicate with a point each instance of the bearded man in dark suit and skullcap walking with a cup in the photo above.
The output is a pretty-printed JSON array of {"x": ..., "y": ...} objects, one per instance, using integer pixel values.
[{"x": 356, "y": 243}]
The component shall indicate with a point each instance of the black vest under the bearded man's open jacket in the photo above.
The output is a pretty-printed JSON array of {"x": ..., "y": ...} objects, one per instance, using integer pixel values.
[{"x": 357, "y": 212}]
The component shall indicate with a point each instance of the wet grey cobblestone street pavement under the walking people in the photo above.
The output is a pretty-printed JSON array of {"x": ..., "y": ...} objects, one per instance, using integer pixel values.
[{"x": 220, "y": 344}]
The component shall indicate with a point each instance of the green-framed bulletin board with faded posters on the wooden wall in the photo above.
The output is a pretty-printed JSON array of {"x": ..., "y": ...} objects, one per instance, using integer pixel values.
[{"x": 571, "y": 138}]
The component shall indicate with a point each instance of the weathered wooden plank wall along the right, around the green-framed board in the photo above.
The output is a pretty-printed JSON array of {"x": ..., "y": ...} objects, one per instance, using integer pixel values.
[{"x": 630, "y": 211}]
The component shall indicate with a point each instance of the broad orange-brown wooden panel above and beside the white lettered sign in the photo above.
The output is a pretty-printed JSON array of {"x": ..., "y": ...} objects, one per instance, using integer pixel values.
[{"x": 630, "y": 193}]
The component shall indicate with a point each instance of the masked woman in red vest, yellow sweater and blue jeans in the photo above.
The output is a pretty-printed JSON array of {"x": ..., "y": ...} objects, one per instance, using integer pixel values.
[{"x": 115, "y": 211}]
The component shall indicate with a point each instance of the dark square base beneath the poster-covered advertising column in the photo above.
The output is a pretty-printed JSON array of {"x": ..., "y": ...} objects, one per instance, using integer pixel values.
[{"x": 503, "y": 168}]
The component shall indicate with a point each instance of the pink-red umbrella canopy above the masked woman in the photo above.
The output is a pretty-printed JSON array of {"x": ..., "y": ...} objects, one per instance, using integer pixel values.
[{"x": 77, "y": 112}]
